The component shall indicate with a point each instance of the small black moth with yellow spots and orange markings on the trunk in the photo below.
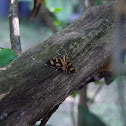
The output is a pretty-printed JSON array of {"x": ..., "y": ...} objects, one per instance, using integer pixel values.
[{"x": 62, "y": 63}]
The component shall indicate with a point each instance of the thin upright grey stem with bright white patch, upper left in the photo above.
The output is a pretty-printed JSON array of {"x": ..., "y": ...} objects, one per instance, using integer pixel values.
[{"x": 14, "y": 26}]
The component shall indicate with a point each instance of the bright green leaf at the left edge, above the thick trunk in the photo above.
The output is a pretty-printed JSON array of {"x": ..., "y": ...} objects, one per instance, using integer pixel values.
[{"x": 6, "y": 56}]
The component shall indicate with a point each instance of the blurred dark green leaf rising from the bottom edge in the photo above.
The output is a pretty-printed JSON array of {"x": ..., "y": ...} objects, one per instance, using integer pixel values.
[{"x": 87, "y": 118}]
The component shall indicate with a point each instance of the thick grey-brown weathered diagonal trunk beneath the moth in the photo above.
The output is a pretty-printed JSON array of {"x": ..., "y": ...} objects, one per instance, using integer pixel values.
[{"x": 29, "y": 90}]
